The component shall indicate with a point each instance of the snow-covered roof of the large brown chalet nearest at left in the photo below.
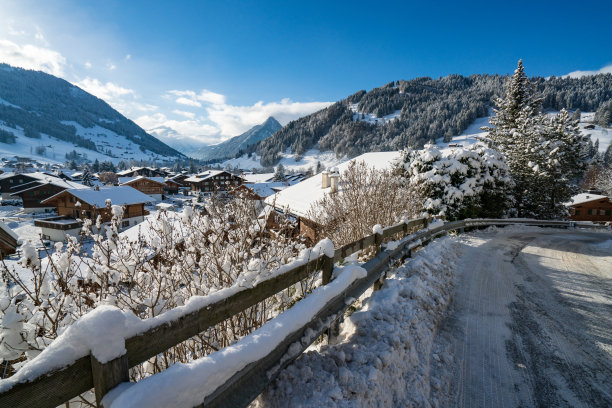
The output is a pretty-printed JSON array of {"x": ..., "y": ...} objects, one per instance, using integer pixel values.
[{"x": 122, "y": 195}]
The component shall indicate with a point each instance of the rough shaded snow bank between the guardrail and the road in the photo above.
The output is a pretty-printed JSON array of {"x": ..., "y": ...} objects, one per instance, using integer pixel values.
[{"x": 383, "y": 357}]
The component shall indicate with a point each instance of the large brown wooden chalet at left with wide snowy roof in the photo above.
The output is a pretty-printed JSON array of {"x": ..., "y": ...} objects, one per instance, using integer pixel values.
[{"x": 74, "y": 204}]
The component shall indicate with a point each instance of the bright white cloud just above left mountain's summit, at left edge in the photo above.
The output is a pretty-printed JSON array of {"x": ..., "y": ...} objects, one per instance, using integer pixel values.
[{"x": 32, "y": 57}]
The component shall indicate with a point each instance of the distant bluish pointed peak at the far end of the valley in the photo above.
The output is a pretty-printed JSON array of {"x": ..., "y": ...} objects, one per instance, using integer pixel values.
[{"x": 236, "y": 145}]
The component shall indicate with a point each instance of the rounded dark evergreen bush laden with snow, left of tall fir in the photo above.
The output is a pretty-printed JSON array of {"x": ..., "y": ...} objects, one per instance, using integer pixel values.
[{"x": 457, "y": 183}]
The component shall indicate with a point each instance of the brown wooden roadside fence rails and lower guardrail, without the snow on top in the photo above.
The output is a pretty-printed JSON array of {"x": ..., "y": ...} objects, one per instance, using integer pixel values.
[{"x": 58, "y": 386}]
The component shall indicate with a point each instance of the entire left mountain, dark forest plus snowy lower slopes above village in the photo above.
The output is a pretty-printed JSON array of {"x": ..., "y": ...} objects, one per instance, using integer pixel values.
[{"x": 45, "y": 117}]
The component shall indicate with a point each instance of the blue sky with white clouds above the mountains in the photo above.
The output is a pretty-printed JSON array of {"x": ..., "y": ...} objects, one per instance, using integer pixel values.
[{"x": 210, "y": 70}]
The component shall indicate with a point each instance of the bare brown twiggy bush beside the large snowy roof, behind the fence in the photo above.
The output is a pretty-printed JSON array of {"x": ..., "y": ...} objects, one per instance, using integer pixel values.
[{"x": 367, "y": 197}]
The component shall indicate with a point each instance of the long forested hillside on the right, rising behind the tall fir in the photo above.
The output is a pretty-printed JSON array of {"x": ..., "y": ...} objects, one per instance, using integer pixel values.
[{"x": 420, "y": 110}]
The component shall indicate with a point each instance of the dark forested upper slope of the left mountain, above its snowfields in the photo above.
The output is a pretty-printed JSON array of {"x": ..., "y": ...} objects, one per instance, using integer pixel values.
[{"x": 41, "y": 103}]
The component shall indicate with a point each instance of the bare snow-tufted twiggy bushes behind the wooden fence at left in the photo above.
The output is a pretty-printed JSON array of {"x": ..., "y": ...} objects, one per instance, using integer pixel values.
[{"x": 147, "y": 270}]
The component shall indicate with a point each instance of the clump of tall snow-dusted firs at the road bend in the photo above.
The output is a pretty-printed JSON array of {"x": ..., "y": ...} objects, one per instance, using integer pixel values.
[{"x": 545, "y": 156}]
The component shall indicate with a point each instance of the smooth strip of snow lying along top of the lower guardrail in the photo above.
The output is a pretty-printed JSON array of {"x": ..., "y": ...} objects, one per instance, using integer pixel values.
[{"x": 186, "y": 385}]
